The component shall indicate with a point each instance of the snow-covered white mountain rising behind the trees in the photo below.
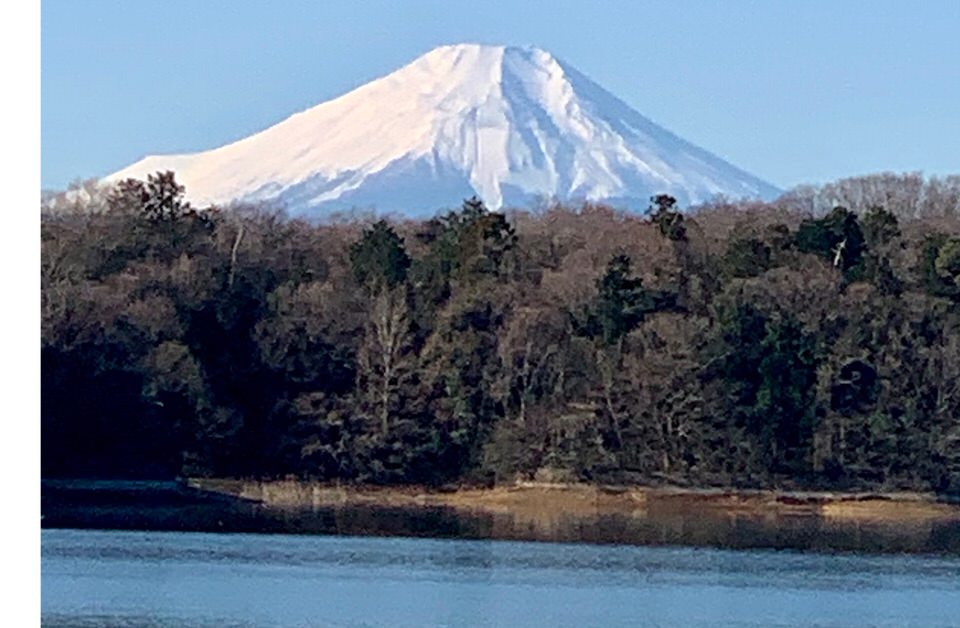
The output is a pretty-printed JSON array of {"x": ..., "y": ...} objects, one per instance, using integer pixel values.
[{"x": 509, "y": 124}]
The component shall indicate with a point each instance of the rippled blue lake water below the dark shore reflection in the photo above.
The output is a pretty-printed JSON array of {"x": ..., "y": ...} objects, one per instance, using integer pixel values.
[{"x": 159, "y": 579}]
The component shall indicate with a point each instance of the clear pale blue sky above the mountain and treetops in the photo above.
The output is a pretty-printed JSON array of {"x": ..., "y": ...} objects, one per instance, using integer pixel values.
[{"x": 793, "y": 92}]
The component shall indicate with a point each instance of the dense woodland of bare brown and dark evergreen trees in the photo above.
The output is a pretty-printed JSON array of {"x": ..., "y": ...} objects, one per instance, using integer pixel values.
[{"x": 810, "y": 342}]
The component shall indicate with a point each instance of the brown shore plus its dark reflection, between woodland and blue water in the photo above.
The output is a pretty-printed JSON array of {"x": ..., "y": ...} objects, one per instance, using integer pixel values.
[{"x": 824, "y": 522}]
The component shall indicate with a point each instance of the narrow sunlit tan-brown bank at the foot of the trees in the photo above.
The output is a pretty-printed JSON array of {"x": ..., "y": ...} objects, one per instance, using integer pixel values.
[{"x": 541, "y": 501}]
